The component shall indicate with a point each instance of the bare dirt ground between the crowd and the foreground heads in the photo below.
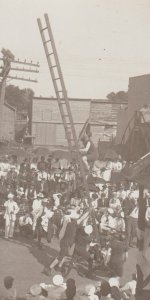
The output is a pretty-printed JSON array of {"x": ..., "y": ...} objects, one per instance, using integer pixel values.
[{"x": 24, "y": 261}]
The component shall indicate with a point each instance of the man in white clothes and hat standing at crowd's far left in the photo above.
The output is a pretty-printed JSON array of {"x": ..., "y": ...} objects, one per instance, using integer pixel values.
[{"x": 11, "y": 209}]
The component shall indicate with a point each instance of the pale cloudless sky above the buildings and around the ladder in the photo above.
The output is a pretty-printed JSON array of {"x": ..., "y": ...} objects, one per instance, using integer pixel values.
[{"x": 100, "y": 43}]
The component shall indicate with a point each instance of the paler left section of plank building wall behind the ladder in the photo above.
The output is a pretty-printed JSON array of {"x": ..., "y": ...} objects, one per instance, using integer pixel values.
[{"x": 47, "y": 126}]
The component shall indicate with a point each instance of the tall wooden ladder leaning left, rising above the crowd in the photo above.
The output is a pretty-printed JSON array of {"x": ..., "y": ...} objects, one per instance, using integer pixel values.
[{"x": 63, "y": 103}]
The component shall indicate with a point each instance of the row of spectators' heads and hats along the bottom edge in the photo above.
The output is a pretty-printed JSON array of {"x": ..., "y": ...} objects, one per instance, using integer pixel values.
[{"x": 63, "y": 289}]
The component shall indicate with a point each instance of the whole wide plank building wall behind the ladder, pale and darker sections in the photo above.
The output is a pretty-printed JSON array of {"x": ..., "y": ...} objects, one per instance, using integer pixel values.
[{"x": 47, "y": 127}]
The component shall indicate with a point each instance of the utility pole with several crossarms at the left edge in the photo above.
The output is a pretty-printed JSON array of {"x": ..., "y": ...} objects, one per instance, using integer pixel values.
[{"x": 8, "y": 61}]
